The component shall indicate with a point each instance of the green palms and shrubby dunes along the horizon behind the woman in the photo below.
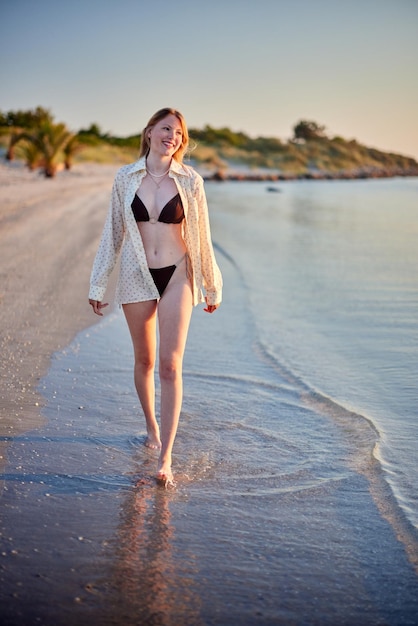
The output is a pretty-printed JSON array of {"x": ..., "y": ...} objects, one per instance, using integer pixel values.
[{"x": 47, "y": 144}]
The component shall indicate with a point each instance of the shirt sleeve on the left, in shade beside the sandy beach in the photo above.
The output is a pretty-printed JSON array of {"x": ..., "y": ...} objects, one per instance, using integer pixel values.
[{"x": 109, "y": 246}]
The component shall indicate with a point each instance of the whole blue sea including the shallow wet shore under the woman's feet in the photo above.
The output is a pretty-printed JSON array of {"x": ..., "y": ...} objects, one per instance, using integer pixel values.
[{"x": 296, "y": 460}]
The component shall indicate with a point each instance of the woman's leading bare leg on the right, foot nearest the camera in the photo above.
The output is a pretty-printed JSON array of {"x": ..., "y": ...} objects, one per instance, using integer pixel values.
[{"x": 174, "y": 313}]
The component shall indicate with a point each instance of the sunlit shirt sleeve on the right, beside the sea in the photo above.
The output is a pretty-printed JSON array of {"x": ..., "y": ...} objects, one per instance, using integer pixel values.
[{"x": 212, "y": 277}]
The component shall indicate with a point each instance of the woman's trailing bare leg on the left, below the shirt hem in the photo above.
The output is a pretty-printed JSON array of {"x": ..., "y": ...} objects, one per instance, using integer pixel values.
[{"x": 141, "y": 319}]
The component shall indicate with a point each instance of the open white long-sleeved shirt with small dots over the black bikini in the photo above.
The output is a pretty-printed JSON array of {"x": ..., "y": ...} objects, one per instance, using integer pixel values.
[{"x": 122, "y": 237}]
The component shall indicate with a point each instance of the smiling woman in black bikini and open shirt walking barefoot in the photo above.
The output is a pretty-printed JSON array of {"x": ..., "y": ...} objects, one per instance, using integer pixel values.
[{"x": 158, "y": 222}]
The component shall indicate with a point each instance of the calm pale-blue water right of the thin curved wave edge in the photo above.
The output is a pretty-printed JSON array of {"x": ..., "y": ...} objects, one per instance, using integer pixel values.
[{"x": 332, "y": 272}]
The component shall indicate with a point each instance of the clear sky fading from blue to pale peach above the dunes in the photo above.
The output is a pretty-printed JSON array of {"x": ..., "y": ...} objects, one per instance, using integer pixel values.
[{"x": 257, "y": 66}]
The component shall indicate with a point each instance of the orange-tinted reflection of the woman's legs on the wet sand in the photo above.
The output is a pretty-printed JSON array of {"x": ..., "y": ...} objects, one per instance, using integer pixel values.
[{"x": 153, "y": 580}]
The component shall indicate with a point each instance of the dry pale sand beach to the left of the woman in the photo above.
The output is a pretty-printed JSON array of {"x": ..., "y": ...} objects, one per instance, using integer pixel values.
[{"x": 49, "y": 231}]
